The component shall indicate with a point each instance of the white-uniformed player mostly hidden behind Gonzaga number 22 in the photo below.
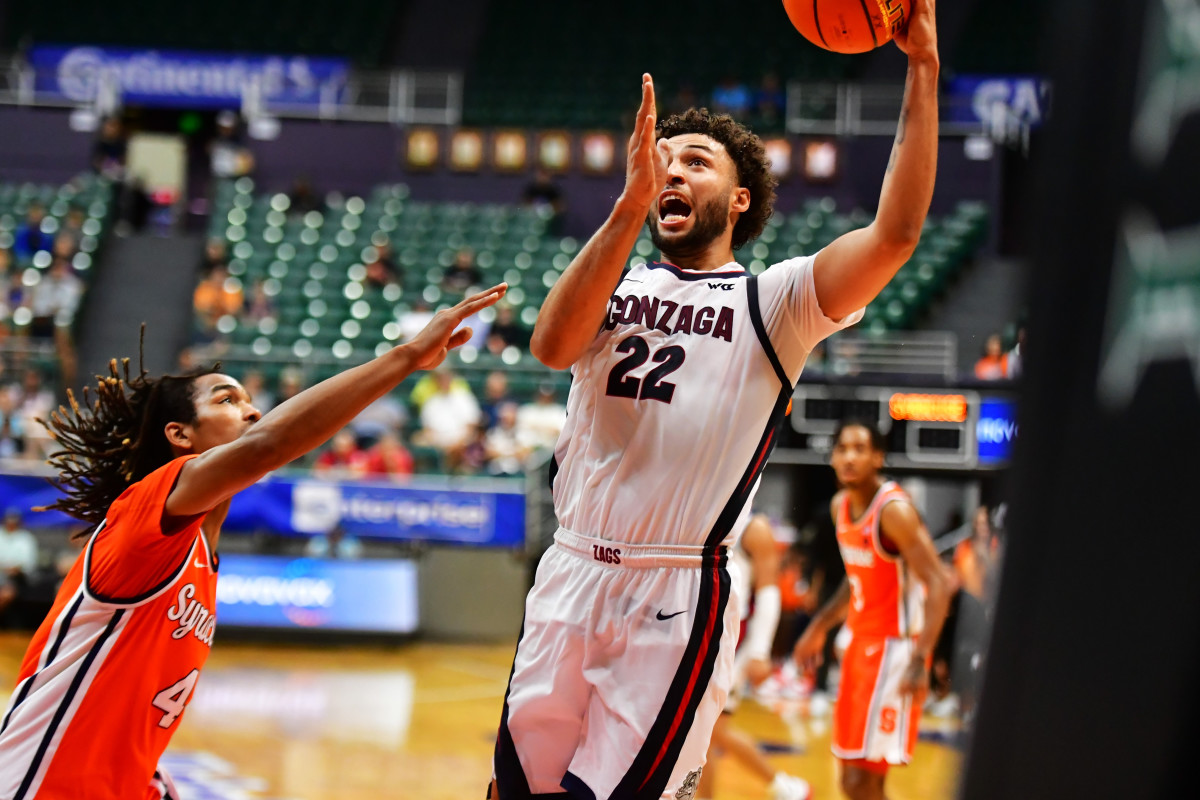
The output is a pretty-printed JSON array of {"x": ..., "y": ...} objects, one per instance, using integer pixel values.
[{"x": 754, "y": 562}]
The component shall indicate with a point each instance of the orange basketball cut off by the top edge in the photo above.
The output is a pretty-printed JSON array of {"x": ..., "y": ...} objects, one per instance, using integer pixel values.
[{"x": 848, "y": 26}]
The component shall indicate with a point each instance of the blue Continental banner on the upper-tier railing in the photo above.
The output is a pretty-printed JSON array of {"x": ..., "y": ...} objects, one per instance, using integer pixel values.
[{"x": 184, "y": 79}]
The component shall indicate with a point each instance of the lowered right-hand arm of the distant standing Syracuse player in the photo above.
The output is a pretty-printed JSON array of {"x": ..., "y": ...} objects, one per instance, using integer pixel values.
[{"x": 902, "y": 525}]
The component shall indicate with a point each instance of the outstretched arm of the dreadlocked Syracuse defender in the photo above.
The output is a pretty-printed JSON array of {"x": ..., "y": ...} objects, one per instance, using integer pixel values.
[{"x": 313, "y": 417}]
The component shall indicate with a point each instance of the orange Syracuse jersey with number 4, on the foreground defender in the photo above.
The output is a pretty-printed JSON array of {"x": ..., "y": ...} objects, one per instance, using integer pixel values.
[{"x": 115, "y": 664}]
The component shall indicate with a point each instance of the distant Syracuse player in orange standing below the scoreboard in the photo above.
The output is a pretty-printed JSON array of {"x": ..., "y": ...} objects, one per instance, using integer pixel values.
[{"x": 895, "y": 599}]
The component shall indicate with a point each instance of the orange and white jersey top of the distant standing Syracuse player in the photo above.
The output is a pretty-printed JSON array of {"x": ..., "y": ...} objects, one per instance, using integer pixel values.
[{"x": 886, "y": 601}]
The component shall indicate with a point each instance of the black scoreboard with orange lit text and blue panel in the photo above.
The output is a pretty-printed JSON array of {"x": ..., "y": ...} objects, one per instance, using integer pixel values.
[{"x": 926, "y": 429}]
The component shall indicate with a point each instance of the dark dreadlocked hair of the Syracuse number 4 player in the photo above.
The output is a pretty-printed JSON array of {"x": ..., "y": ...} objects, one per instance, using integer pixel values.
[{"x": 116, "y": 440}]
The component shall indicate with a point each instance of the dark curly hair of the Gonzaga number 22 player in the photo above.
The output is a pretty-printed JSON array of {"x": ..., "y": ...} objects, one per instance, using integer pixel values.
[{"x": 749, "y": 157}]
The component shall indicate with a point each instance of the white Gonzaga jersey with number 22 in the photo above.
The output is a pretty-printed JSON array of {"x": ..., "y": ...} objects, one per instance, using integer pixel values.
[{"x": 675, "y": 408}]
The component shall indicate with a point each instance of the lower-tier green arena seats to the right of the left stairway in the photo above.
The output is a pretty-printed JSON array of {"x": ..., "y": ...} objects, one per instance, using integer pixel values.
[{"x": 313, "y": 267}]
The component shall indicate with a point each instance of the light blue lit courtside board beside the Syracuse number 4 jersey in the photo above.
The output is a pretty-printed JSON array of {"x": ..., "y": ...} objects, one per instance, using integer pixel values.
[{"x": 377, "y": 596}]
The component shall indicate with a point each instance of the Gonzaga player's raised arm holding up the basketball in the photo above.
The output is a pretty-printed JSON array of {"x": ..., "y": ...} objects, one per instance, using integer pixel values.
[{"x": 853, "y": 270}]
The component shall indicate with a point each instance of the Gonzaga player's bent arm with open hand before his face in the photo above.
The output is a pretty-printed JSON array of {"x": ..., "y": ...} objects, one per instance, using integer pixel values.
[{"x": 575, "y": 308}]
